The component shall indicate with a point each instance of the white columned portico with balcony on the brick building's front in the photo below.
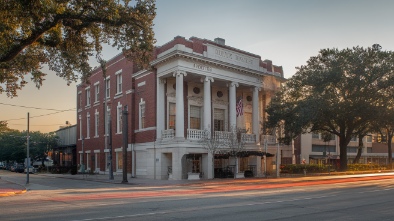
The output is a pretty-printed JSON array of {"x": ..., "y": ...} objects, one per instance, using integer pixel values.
[{"x": 212, "y": 91}]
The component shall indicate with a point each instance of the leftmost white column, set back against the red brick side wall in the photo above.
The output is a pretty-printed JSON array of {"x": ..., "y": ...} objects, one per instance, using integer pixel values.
[{"x": 160, "y": 96}]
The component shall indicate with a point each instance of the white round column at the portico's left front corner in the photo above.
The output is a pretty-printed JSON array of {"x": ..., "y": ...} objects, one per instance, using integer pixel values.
[{"x": 180, "y": 113}]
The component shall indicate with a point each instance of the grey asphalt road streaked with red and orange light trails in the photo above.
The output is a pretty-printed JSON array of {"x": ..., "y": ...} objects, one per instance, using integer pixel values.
[{"x": 362, "y": 198}]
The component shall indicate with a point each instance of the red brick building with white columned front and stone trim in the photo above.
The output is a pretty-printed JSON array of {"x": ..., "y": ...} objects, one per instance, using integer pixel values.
[{"x": 193, "y": 86}]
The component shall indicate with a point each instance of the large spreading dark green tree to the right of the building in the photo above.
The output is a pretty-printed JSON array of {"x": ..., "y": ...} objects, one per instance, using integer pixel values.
[{"x": 338, "y": 92}]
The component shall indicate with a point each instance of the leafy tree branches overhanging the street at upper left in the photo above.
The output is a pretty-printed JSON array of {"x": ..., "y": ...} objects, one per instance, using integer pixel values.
[{"x": 63, "y": 34}]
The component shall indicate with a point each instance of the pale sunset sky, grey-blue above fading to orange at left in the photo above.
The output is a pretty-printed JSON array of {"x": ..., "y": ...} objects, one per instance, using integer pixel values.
[{"x": 288, "y": 32}]
